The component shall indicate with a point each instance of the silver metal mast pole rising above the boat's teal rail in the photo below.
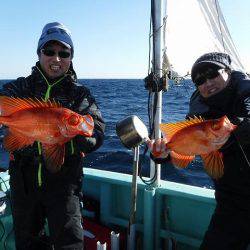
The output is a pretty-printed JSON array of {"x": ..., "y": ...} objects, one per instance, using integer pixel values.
[{"x": 157, "y": 22}]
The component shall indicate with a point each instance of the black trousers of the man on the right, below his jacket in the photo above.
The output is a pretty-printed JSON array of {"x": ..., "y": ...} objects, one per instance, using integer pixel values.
[{"x": 229, "y": 229}]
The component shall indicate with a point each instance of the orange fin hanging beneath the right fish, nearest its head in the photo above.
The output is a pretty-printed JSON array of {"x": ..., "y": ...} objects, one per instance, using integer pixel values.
[{"x": 213, "y": 164}]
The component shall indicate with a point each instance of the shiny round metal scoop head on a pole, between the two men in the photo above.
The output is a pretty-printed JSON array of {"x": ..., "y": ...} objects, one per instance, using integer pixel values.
[{"x": 131, "y": 131}]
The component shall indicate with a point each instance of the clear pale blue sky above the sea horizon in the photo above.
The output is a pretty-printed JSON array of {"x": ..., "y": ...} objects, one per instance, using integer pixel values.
[{"x": 110, "y": 36}]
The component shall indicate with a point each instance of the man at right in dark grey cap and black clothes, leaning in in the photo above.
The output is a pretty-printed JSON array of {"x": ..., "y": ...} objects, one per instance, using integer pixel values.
[{"x": 222, "y": 91}]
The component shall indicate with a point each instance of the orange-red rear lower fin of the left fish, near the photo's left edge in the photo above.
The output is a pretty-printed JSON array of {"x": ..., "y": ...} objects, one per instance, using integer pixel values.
[{"x": 15, "y": 141}]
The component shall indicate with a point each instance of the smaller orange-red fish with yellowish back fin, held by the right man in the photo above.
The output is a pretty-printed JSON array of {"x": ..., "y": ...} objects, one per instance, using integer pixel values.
[{"x": 198, "y": 137}]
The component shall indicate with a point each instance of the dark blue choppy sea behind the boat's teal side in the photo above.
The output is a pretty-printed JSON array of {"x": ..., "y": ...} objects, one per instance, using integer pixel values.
[{"x": 120, "y": 98}]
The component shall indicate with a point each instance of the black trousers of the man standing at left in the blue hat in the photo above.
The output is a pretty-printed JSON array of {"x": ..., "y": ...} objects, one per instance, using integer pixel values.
[{"x": 60, "y": 206}]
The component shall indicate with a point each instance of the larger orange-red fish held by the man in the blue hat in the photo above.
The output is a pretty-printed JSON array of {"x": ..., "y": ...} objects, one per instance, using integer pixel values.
[{"x": 29, "y": 120}]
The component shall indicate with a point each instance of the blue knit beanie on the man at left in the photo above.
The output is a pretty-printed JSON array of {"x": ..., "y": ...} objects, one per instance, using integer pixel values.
[{"x": 55, "y": 32}]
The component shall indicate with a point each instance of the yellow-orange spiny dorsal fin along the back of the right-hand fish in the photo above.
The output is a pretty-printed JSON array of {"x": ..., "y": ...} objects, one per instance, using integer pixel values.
[{"x": 169, "y": 129}]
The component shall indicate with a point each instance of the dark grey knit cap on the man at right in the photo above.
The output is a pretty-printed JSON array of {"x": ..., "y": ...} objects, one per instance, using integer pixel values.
[{"x": 215, "y": 59}]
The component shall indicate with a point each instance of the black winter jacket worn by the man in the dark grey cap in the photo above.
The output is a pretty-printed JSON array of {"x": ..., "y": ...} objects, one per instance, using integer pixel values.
[{"x": 233, "y": 188}]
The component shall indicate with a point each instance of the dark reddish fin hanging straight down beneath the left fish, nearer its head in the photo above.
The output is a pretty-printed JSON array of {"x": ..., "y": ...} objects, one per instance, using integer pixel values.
[{"x": 54, "y": 157}]
